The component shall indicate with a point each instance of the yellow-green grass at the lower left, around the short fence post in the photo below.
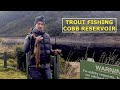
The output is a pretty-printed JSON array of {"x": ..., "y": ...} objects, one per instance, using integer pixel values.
[{"x": 11, "y": 72}]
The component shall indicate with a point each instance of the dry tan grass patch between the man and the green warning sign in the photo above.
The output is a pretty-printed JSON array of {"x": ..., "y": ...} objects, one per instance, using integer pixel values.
[{"x": 69, "y": 70}]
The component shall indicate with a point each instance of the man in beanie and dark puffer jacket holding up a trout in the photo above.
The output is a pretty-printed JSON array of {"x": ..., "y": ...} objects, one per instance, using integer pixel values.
[{"x": 39, "y": 40}]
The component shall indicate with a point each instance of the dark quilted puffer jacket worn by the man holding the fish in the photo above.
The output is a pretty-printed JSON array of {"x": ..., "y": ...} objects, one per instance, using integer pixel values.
[{"x": 46, "y": 47}]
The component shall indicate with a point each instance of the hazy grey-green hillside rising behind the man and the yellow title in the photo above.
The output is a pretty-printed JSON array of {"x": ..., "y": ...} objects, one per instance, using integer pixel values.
[{"x": 17, "y": 23}]
